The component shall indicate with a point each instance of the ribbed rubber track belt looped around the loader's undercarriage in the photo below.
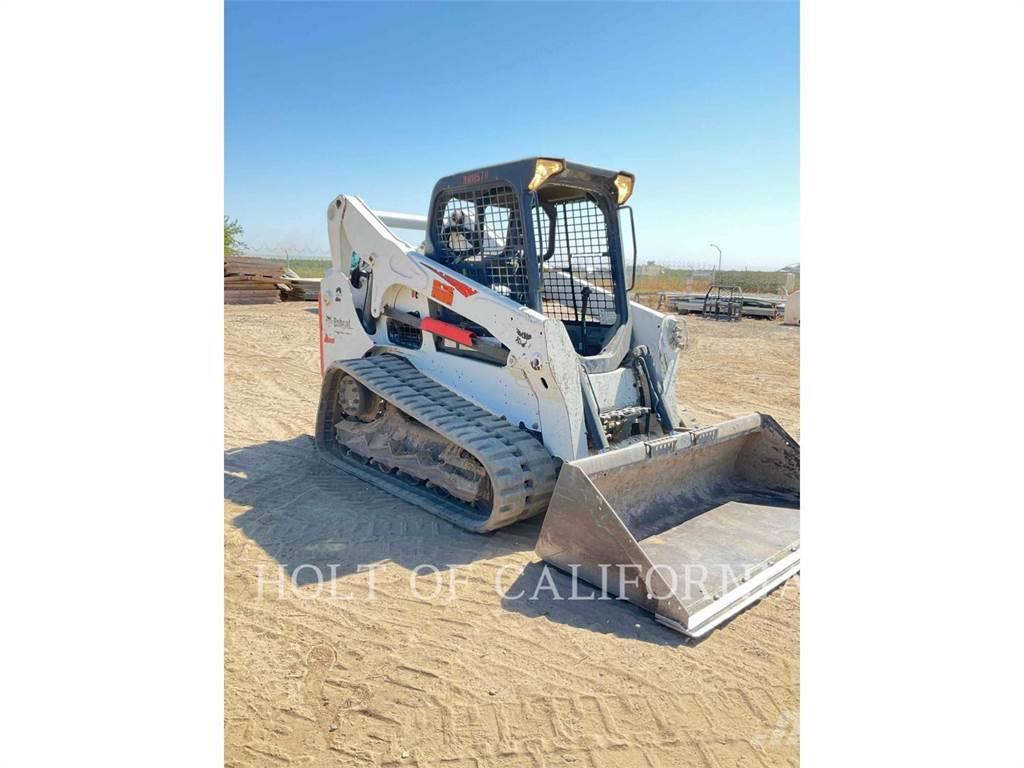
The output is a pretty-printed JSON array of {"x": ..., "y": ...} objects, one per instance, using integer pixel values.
[{"x": 522, "y": 472}]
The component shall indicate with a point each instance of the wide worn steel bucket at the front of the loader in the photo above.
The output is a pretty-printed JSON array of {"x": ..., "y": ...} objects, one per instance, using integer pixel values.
[{"x": 693, "y": 528}]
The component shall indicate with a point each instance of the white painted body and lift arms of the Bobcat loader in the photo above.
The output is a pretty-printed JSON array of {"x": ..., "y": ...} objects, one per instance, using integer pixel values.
[{"x": 539, "y": 388}]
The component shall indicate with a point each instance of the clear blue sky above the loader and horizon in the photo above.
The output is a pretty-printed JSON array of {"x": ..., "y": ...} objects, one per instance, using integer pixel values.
[{"x": 701, "y": 101}]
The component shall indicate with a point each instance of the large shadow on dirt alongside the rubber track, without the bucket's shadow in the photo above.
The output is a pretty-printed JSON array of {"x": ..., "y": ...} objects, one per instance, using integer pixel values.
[{"x": 307, "y": 514}]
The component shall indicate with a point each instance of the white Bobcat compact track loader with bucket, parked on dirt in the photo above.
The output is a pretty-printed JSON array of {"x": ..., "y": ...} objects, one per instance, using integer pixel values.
[{"x": 500, "y": 371}]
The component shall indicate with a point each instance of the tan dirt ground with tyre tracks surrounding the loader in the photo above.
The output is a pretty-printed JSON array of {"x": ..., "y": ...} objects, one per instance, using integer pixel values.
[{"x": 327, "y": 664}]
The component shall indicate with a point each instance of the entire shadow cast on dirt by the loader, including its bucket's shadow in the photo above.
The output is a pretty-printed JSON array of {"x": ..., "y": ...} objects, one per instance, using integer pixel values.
[{"x": 318, "y": 522}]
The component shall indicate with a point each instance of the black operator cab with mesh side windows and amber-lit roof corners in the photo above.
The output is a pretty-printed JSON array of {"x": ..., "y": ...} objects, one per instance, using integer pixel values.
[{"x": 545, "y": 234}]
